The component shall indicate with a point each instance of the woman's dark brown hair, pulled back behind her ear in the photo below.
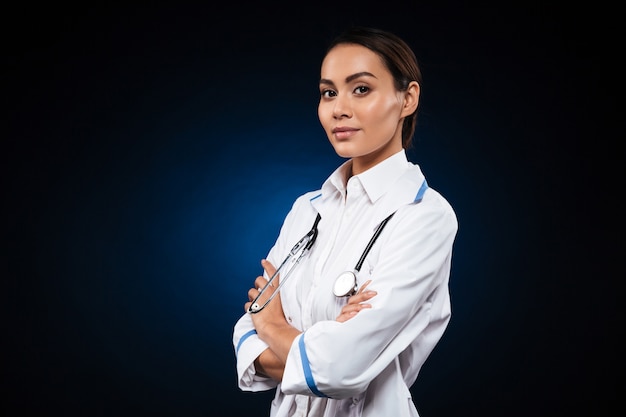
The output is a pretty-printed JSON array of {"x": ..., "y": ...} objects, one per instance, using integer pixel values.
[{"x": 397, "y": 56}]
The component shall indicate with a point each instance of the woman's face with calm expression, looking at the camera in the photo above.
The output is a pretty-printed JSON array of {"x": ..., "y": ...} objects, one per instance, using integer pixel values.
[{"x": 360, "y": 109}]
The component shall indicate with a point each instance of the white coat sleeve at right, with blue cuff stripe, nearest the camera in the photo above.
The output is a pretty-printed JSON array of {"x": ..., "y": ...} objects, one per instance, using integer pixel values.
[{"x": 409, "y": 313}]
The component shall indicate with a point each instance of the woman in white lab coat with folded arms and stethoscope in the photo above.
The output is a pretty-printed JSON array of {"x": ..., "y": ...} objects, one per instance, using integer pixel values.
[{"x": 358, "y": 354}]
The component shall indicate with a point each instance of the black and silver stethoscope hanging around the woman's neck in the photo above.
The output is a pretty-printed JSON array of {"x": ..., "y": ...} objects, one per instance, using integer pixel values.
[{"x": 346, "y": 283}]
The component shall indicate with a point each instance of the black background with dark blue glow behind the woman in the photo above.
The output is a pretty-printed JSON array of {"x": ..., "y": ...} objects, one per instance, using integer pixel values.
[{"x": 152, "y": 152}]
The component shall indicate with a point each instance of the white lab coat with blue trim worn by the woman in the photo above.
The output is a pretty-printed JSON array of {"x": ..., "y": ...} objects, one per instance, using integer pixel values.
[{"x": 365, "y": 366}]
